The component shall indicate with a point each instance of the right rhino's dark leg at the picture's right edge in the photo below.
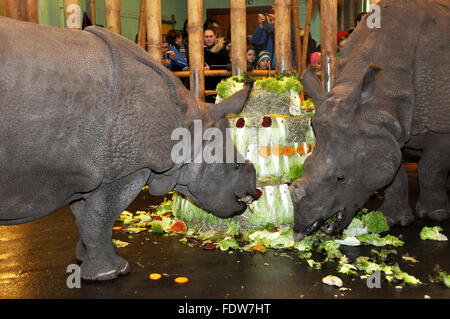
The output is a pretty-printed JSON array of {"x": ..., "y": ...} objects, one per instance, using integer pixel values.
[{"x": 433, "y": 169}]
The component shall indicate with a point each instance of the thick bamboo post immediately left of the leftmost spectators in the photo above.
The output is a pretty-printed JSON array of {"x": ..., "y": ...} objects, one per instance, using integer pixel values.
[{"x": 154, "y": 28}]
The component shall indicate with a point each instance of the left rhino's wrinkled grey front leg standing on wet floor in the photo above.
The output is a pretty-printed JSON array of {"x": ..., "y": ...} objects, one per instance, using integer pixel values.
[{"x": 95, "y": 218}]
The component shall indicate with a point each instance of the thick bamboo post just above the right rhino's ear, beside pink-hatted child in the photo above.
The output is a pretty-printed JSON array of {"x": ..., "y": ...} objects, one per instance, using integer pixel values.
[{"x": 328, "y": 27}]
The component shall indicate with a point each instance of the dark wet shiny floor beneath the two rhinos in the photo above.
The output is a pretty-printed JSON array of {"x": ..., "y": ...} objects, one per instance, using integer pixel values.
[{"x": 34, "y": 258}]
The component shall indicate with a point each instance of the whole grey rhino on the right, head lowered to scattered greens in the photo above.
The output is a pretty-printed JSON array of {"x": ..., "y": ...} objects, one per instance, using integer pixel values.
[{"x": 391, "y": 93}]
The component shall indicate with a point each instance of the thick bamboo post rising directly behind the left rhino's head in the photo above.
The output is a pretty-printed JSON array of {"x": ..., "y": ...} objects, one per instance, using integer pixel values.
[{"x": 196, "y": 51}]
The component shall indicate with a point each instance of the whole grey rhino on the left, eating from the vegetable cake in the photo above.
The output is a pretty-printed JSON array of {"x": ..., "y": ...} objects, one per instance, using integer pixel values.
[{"x": 86, "y": 120}]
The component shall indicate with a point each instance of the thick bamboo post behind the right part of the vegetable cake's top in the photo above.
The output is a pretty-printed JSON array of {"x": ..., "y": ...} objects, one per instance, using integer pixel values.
[{"x": 283, "y": 56}]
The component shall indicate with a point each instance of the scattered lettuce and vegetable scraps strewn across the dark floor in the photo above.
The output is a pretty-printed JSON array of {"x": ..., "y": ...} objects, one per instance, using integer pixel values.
[{"x": 368, "y": 228}]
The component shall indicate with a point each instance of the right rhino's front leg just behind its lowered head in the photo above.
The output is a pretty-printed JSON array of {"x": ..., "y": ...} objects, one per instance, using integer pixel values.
[{"x": 395, "y": 206}]
